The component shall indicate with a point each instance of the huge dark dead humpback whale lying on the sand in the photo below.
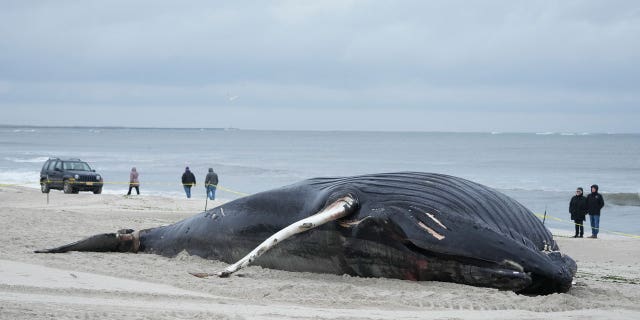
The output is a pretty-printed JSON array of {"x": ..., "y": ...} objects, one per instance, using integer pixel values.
[{"x": 407, "y": 225}]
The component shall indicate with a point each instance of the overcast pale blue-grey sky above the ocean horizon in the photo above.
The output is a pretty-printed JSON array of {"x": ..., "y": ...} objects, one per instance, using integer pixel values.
[{"x": 533, "y": 66}]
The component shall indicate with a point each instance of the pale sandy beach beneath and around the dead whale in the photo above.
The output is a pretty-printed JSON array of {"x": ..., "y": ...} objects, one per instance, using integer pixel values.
[{"x": 144, "y": 286}]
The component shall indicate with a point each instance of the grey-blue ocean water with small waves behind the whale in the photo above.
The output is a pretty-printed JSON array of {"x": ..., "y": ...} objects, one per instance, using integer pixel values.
[{"x": 540, "y": 170}]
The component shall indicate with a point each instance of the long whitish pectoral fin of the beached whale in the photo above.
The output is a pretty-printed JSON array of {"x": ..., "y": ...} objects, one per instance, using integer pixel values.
[{"x": 338, "y": 209}]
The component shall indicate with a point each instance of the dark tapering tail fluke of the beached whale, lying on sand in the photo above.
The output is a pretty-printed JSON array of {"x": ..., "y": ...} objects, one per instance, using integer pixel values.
[{"x": 122, "y": 241}]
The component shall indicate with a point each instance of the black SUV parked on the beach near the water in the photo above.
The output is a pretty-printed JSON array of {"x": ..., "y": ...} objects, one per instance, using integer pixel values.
[{"x": 70, "y": 176}]
